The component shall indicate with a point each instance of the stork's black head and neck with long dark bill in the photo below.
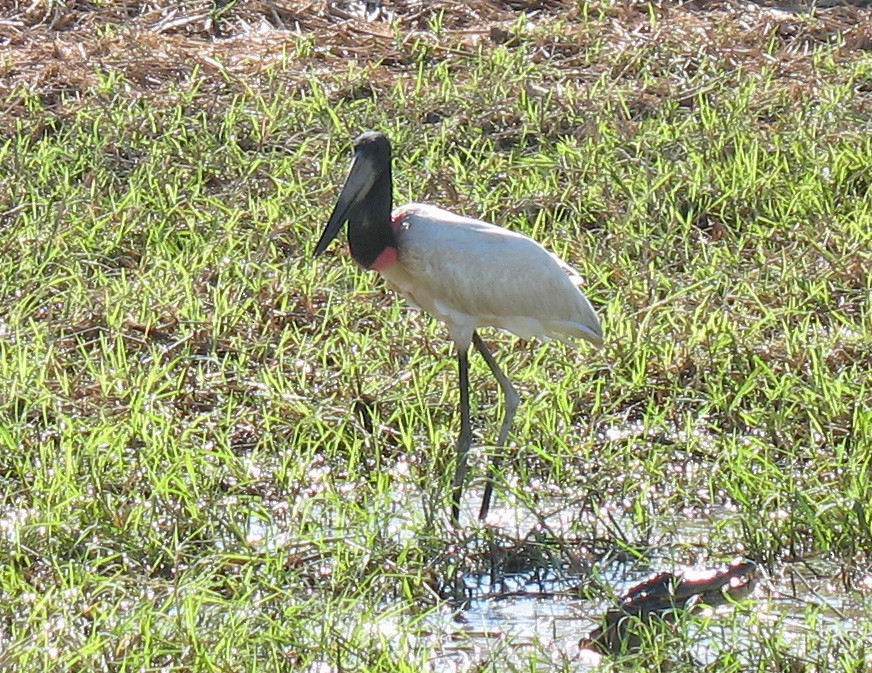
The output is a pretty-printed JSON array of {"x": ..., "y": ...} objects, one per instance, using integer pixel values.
[{"x": 365, "y": 202}]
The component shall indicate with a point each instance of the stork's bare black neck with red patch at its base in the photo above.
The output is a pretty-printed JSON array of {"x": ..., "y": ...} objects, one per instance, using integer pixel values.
[{"x": 371, "y": 235}]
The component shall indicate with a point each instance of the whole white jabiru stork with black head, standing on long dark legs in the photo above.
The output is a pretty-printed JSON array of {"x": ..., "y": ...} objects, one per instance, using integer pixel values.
[{"x": 465, "y": 272}]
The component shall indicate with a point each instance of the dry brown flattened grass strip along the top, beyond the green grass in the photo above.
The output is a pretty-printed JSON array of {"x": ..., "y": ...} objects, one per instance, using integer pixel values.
[{"x": 59, "y": 51}]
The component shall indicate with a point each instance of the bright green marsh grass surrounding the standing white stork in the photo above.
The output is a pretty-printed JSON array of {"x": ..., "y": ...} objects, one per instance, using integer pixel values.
[{"x": 218, "y": 453}]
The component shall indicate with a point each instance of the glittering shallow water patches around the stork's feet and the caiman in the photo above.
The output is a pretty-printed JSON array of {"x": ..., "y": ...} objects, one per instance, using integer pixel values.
[{"x": 534, "y": 619}]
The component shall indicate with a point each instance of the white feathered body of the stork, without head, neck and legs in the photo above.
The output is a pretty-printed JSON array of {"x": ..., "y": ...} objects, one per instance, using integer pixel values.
[{"x": 470, "y": 274}]
